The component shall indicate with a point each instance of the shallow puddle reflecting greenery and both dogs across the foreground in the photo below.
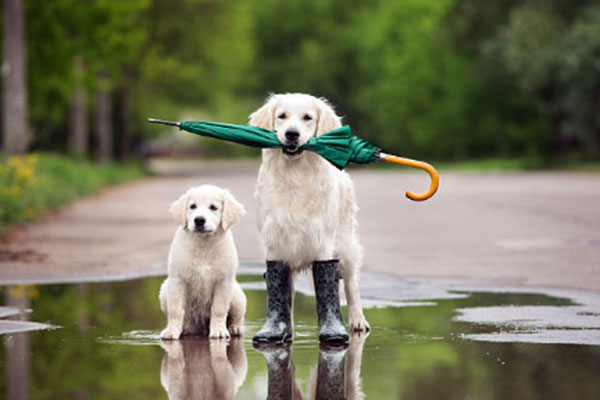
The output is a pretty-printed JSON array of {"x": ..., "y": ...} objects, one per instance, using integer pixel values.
[{"x": 447, "y": 341}]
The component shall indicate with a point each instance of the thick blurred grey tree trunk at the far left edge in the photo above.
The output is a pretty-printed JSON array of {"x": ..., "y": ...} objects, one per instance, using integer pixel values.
[{"x": 14, "y": 113}]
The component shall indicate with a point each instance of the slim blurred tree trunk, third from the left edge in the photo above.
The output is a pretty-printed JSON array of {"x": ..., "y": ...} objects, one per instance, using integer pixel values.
[{"x": 103, "y": 120}]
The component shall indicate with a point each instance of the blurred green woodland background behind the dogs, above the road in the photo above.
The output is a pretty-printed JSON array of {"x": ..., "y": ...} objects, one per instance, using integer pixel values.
[{"x": 435, "y": 79}]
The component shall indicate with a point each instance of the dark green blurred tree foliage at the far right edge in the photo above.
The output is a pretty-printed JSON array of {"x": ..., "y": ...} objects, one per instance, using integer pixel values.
[{"x": 546, "y": 52}]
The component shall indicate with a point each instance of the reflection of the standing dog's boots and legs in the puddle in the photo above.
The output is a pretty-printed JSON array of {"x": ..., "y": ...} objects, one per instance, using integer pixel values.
[{"x": 336, "y": 377}]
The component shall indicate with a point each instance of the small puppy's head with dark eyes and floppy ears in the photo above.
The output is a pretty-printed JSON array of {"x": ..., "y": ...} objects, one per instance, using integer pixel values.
[{"x": 206, "y": 210}]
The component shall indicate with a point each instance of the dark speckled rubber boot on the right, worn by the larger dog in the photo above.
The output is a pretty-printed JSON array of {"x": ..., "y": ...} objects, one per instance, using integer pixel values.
[{"x": 331, "y": 320}]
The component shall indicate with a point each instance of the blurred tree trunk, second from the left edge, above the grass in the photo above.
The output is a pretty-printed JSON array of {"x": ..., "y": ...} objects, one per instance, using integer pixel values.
[{"x": 79, "y": 123}]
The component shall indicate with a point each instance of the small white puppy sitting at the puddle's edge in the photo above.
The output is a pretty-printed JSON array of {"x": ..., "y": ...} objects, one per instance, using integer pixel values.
[{"x": 201, "y": 294}]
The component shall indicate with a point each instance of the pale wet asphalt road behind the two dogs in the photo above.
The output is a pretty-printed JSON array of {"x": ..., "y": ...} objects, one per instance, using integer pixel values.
[{"x": 509, "y": 229}]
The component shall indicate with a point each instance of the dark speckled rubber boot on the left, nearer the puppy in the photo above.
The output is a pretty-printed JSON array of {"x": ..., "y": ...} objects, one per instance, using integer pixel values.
[{"x": 278, "y": 326}]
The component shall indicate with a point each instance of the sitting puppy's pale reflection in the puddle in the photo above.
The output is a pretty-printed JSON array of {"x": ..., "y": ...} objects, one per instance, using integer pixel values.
[{"x": 201, "y": 369}]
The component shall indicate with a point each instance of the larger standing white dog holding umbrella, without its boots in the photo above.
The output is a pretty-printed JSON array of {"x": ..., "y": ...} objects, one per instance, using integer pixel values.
[{"x": 306, "y": 206}]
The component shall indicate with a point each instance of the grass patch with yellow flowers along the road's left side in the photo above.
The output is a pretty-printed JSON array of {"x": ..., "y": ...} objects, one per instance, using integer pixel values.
[{"x": 32, "y": 184}]
